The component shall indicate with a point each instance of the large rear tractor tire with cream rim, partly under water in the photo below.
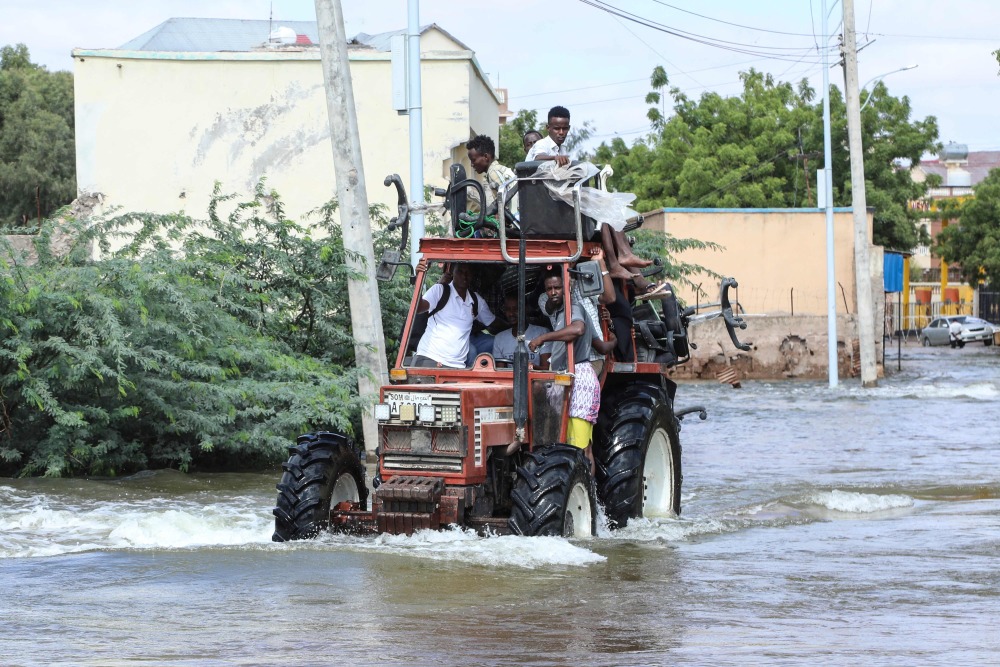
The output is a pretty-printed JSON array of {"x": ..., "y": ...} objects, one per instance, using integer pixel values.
[{"x": 638, "y": 455}]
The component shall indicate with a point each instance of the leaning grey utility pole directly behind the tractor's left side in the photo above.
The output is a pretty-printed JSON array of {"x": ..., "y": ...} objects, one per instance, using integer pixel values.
[{"x": 366, "y": 311}]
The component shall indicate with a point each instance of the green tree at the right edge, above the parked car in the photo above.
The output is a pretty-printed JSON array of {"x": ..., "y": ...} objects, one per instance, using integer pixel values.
[{"x": 974, "y": 242}]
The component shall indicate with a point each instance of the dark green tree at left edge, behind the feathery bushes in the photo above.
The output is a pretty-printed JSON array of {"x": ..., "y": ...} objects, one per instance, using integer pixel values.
[{"x": 37, "y": 153}]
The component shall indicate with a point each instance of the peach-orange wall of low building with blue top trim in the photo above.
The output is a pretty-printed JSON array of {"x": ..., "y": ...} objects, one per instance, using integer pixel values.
[{"x": 777, "y": 255}]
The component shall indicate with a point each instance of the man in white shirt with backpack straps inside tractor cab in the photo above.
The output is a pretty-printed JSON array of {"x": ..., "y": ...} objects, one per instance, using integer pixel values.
[{"x": 446, "y": 340}]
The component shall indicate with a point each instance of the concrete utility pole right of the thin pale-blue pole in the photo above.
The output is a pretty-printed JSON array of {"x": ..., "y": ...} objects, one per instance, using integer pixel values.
[{"x": 859, "y": 204}]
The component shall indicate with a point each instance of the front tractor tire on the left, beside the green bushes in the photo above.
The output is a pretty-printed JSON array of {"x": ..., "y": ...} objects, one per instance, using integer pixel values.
[{"x": 323, "y": 470}]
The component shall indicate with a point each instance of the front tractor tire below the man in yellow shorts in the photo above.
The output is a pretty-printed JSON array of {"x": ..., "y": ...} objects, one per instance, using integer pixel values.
[{"x": 554, "y": 494}]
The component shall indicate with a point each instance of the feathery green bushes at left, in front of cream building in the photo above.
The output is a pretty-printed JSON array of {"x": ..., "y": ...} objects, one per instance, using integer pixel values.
[{"x": 196, "y": 344}]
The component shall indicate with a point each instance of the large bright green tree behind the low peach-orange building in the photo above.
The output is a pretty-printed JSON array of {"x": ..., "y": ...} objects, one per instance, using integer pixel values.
[{"x": 761, "y": 149}]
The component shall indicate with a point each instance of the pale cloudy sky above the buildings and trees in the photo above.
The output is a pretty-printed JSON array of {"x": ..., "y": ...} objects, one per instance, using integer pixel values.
[{"x": 575, "y": 54}]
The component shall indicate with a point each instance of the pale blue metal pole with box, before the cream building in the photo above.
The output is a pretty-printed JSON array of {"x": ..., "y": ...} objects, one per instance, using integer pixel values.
[{"x": 416, "y": 125}]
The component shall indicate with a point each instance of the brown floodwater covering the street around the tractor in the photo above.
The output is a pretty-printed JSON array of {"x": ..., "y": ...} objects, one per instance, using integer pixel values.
[{"x": 837, "y": 527}]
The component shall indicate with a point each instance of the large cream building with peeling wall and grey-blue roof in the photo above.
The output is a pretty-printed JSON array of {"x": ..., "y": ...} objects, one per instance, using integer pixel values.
[{"x": 195, "y": 101}]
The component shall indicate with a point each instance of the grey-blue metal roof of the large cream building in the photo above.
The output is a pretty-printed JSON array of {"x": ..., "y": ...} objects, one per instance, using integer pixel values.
[{"x": 208, "y": 35}]
